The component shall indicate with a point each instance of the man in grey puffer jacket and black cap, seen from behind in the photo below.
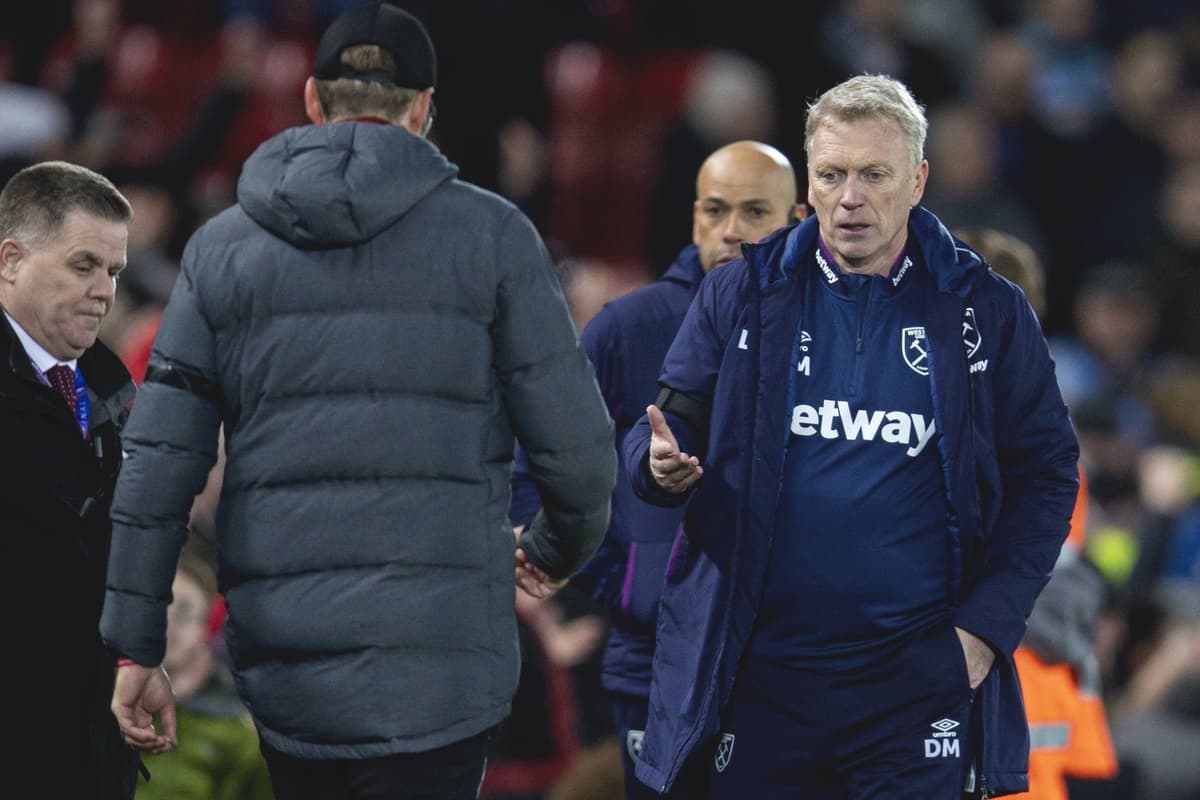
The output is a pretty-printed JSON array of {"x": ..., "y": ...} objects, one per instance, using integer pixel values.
[{"x": 371, "y": 333}]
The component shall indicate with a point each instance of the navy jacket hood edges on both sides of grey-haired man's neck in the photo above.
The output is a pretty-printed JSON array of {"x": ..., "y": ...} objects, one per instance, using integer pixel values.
[{"x": 959, "y": 267}]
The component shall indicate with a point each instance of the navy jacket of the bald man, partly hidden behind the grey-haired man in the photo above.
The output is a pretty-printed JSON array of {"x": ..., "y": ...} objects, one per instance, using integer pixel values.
[{"x": 627, "y": 342}]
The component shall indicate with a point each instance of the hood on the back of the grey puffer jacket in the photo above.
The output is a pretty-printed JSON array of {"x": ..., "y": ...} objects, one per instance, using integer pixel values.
[{"x": 339, "y": 184}]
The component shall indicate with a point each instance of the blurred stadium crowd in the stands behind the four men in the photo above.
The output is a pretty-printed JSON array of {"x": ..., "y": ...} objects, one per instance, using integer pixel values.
[{"x": 1073, "y": 125}]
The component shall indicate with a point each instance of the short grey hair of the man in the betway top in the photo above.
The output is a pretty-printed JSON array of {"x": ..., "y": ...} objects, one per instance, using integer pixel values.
[{"x": 871, "y": 98}]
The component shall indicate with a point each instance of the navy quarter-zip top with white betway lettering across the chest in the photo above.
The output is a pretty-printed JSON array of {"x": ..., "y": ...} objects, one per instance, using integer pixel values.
[{"x": 862, "y": 408}]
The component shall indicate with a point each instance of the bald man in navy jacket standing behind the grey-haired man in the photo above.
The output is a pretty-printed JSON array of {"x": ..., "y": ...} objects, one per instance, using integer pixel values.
[{"x": 745, "y": 191}]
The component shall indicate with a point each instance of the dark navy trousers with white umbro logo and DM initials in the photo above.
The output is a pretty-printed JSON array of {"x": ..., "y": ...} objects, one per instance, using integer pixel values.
[{"x": 897, "y": 730}]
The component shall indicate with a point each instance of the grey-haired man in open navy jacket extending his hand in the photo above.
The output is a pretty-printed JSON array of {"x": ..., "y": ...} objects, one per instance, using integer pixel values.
[{"x": 881, "y": 472}]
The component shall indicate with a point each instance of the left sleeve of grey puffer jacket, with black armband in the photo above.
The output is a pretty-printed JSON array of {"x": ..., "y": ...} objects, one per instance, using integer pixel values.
[{"x": 171, "y": 444}]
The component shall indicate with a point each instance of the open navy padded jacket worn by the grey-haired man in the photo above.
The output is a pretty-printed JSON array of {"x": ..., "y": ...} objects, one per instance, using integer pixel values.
[{"x": 1007, "y": 452}]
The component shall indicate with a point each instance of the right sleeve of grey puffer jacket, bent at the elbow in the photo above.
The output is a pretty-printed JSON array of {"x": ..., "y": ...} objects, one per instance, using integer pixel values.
[{"x": 555, "y": 406}]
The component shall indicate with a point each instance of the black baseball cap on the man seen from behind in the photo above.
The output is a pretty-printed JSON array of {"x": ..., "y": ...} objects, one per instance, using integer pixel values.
[{"x": 388, "y": 27}]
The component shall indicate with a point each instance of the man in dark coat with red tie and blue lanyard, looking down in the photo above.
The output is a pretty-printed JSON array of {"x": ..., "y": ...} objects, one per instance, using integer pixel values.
[{"x": 64, "y": 398}]
